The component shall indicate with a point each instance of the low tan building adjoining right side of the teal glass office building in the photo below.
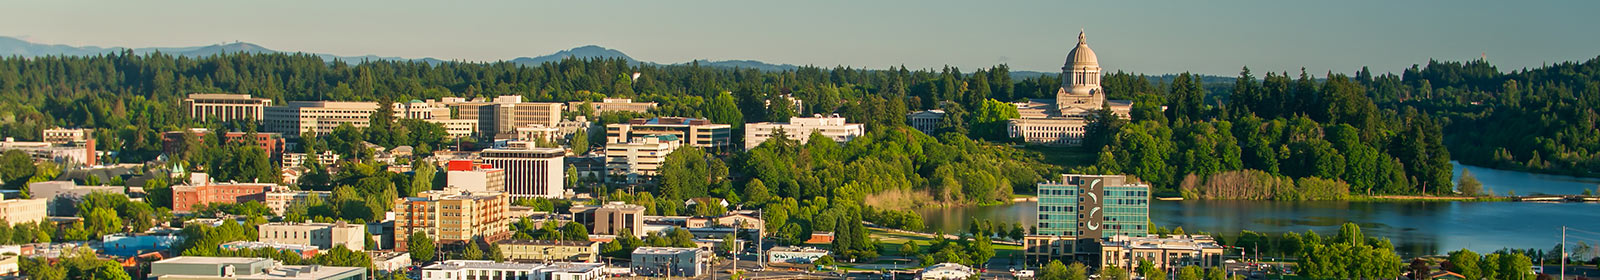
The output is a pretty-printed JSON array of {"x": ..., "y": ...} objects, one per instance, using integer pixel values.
[{"x": 1166, "y": 254}]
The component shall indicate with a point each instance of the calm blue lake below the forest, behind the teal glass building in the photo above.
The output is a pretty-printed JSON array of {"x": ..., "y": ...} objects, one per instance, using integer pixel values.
[{"x": 1417, "y": 228}]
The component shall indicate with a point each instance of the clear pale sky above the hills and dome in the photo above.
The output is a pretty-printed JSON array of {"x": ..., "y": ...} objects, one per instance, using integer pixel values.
[{"x": 1150, "y": 38}]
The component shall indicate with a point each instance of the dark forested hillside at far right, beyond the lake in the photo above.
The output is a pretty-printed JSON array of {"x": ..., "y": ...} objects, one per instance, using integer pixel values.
[{"x": 1527, "y": 119}]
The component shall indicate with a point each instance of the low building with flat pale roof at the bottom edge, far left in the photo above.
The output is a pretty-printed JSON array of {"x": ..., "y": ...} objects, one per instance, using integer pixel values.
[{"x": 247, "y": 270}]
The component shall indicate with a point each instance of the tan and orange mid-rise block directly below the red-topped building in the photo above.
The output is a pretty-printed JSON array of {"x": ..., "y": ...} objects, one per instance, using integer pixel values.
[{"x": 454, "y": 217}]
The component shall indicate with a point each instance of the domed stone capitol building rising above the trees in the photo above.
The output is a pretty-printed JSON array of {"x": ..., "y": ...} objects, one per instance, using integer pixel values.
[{"x": 1063, "y": 121}]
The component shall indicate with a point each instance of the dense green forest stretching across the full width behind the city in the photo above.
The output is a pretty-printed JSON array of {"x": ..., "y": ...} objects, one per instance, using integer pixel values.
[{"x": 1366, "y": 134}]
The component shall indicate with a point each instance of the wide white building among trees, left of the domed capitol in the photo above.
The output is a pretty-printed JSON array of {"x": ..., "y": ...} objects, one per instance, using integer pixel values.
[{"x": 801, "y": 130}]
